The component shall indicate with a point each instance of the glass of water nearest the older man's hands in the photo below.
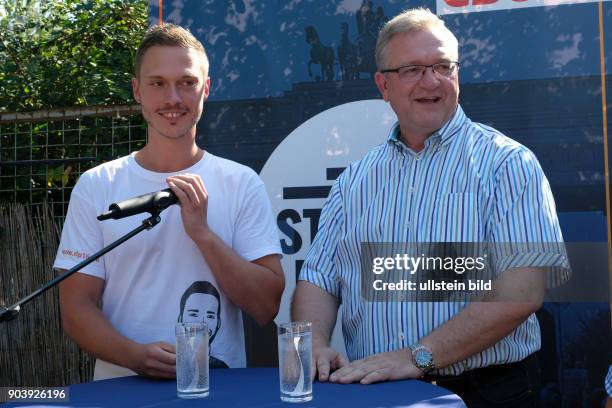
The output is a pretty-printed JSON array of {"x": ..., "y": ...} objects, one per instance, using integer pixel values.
[{"x": 295, "y": 360}]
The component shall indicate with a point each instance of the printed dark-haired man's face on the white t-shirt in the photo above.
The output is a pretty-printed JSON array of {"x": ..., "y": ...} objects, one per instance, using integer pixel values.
[{"x": 201, "y": 302}]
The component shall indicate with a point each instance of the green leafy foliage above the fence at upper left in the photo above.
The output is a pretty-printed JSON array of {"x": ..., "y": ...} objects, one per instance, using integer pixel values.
[{"x": 60, "y": 53}]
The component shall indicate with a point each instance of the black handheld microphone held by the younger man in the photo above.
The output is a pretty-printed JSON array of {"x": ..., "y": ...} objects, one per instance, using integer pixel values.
[{"x": 152, "y": 203}]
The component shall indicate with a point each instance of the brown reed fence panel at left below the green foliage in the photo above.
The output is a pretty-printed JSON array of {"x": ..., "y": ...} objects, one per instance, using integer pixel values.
[{"x": 34, "y": 350}]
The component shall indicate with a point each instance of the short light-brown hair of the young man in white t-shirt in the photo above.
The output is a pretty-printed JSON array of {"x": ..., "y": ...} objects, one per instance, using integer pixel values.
[{"x": 169, "y": 35}]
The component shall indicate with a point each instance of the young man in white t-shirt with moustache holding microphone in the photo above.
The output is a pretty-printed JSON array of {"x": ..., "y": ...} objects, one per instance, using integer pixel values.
[{"x": 221, "y": 241}]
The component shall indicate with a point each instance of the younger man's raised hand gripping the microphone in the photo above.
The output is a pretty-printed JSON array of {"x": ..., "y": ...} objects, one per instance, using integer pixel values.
[{"x": 193, "y": 197}]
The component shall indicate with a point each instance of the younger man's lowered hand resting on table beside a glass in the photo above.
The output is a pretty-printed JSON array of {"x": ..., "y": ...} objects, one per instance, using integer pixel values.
[{"x": 156, "y": 360}]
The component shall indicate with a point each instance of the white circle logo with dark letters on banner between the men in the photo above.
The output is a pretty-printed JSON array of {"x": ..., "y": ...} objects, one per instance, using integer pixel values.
[{"x": 299, "y": 174}]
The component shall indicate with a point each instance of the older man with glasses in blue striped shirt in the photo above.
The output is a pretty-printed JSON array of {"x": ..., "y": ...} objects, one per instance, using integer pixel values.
[{"x": 439, "y": 178}]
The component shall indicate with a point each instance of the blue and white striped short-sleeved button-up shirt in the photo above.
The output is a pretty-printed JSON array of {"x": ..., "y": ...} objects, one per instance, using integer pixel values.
[{"x": 470, "y": 183}]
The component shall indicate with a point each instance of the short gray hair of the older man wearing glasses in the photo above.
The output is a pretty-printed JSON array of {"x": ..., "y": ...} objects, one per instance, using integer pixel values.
[{"x": 418, "y": 19}]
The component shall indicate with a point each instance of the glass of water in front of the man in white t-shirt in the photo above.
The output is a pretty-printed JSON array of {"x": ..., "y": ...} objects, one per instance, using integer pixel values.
[{"x": 191, "y": 360}]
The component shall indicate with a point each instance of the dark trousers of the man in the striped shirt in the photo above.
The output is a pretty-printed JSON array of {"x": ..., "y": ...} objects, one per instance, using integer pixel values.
[{"x": 514, "y": 385}]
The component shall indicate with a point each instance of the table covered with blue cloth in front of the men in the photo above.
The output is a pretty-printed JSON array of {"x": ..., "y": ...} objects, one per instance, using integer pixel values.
[{"x": 255, "y": 387}]
